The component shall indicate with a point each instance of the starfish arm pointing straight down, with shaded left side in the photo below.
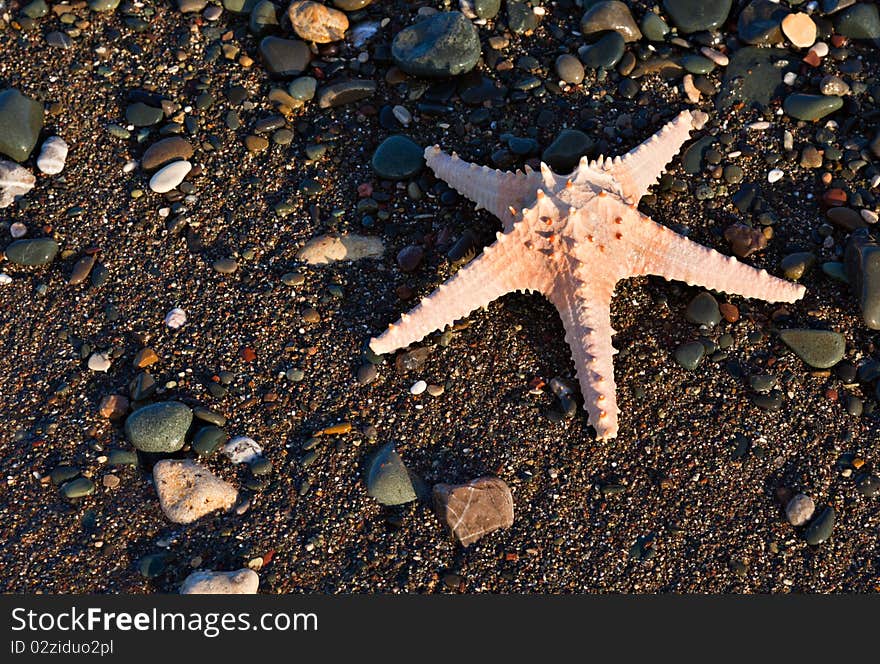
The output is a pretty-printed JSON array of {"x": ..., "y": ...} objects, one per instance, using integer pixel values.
[{"x": 585, "y": 310}]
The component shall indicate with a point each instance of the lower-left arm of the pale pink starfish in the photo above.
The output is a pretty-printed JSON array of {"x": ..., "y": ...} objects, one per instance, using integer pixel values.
[{"x": 503, "y": 267}]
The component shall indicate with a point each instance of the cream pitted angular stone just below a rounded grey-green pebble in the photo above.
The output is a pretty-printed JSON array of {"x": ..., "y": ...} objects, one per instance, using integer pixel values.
[{"x": 188, "y": 491}]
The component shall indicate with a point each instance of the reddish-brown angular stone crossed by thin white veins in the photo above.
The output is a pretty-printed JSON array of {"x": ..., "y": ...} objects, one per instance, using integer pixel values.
[{"x": 473, "y": 510}]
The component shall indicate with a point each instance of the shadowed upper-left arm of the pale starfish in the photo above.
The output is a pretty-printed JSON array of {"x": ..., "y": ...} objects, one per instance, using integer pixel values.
[{"x": 495, "y": 191}]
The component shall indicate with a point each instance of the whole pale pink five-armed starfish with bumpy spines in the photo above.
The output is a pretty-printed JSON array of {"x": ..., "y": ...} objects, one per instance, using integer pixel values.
[{"x": 572, "y": 238}]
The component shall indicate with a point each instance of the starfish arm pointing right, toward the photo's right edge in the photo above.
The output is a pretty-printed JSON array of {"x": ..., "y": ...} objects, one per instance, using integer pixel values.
[{"x": 667, "y": 254}]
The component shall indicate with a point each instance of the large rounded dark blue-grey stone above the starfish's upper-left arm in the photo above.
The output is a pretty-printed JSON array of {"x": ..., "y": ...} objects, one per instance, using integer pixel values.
[{"x": 445, "y": 44}]
